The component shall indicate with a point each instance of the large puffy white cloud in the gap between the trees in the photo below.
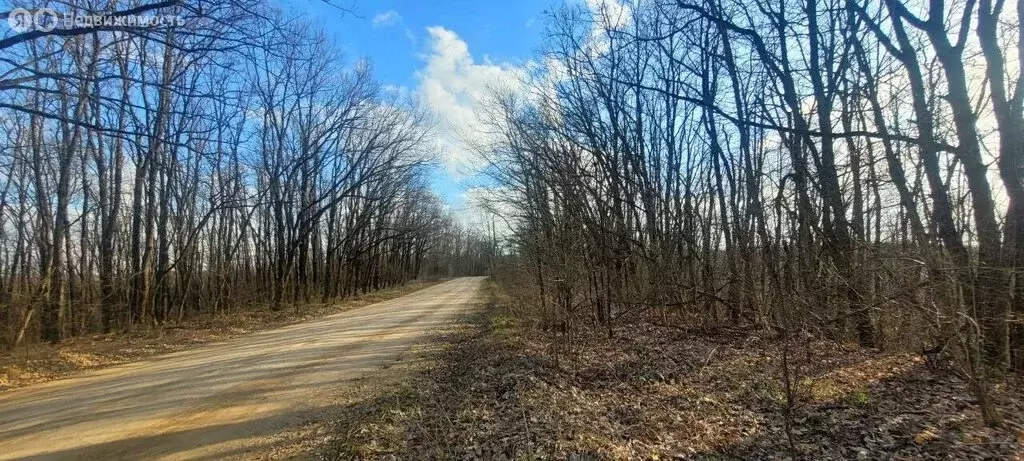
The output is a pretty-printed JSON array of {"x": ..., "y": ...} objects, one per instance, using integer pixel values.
[{"x": 453, "y": 86}]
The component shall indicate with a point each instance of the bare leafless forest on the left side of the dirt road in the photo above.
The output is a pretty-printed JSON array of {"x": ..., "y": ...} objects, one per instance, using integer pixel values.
[{"x": 228, "y": 158}]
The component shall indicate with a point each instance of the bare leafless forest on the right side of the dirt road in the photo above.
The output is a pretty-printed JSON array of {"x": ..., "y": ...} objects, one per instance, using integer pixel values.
[{"x": 841, "y": 169}]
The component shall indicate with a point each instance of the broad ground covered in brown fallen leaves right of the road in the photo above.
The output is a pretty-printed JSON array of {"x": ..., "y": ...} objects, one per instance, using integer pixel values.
[{"x": 506, "y": 391}]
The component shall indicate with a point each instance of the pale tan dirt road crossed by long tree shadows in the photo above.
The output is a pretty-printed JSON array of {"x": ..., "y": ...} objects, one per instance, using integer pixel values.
[{"x": 220, "y": 401}]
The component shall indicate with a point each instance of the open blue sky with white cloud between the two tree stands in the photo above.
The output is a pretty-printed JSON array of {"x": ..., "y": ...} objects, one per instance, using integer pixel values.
[{"x": 442, "y": 53}]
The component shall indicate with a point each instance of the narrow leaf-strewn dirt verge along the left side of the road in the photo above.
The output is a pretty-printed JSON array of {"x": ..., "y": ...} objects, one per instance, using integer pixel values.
[{"x": 33, "y": 364}]
